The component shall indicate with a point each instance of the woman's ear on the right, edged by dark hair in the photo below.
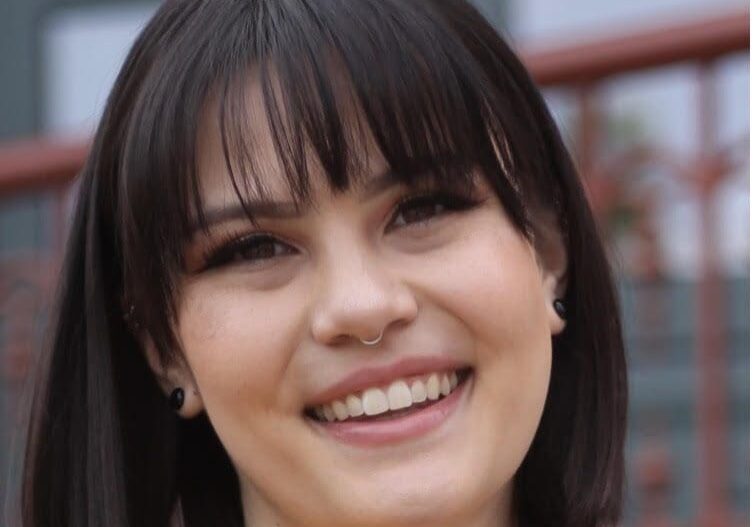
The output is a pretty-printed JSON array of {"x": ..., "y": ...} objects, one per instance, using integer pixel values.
[{"x": 553, "y": 263}]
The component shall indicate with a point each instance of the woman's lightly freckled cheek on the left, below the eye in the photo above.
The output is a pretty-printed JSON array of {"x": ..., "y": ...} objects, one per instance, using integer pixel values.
[{"x": 237, "y": 344}]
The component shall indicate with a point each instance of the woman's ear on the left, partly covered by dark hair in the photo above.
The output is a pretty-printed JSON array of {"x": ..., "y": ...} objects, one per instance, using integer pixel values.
[{"x": 174, "y": 374}]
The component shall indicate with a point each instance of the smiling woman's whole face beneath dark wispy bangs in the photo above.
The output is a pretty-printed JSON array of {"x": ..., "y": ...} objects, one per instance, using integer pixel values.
[{"x": 270, "y": 319}]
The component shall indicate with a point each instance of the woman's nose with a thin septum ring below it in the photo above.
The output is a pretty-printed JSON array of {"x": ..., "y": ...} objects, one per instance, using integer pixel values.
[{"x": 360, "y": 298}]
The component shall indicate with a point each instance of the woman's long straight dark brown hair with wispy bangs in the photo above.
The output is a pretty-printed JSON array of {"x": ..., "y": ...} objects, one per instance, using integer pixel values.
[{"x": 439, "y": 91}]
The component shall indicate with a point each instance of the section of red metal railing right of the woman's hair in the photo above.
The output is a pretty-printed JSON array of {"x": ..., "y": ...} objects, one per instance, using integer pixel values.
[{"x": 700, "y": 45}]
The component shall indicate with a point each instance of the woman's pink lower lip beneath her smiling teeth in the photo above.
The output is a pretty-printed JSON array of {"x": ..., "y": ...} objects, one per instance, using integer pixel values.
[{"x": 377, "y": 433}]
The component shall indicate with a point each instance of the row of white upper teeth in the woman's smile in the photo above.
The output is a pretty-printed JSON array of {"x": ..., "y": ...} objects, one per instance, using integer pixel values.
[{"x": 398, "y": 395}]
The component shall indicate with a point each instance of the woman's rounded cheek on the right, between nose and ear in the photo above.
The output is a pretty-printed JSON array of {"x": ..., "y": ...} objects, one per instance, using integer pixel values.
[{"x": 490, "y": 281}]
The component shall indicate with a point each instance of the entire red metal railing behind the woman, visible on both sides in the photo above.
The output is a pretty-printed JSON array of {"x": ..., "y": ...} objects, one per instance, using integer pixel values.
[{"x": 42, "y": 165}]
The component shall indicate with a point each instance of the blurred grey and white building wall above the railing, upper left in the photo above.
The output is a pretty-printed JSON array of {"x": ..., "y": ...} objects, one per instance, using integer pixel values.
[{"x": 58, "y": 61}]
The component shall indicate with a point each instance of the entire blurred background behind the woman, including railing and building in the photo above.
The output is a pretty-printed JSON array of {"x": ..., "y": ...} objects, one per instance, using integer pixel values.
[{"x": 652, "y": 97}]
